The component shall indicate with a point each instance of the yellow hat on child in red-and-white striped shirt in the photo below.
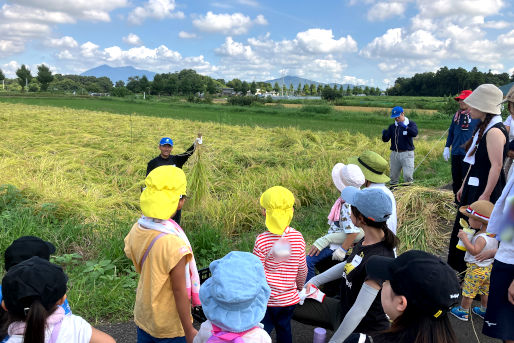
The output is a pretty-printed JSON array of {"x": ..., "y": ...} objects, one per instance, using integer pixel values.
[{"x": 278, "y": 202}]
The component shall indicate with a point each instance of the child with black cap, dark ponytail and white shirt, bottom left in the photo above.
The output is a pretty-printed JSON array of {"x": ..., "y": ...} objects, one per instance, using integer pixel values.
[{"x": 33, "y": 291}]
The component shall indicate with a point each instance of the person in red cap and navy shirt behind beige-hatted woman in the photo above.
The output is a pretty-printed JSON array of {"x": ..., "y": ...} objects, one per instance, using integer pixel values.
[{"x": 460, "y": 131}]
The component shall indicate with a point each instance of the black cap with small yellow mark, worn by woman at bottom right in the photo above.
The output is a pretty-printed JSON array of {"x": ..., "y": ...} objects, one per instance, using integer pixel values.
[{"x": 428, "y": 283}]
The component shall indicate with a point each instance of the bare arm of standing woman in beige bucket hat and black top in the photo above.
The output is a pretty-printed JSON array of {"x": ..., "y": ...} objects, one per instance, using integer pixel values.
[{"x": 495, "y": 143}]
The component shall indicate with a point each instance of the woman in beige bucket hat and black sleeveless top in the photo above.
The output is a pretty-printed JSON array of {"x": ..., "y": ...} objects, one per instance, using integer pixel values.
[{"x": 485, "y": 153}]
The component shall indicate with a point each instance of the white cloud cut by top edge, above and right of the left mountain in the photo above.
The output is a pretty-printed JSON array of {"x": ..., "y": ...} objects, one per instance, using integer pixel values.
[{"x": 154, "y": 9}]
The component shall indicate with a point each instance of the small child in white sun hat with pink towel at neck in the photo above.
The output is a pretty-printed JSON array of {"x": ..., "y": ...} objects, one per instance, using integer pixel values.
[{"x": 342, "y": 233}]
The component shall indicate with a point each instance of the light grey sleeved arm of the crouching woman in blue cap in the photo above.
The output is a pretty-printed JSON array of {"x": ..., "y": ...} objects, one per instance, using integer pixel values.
[{"x": 367, "y": 295}]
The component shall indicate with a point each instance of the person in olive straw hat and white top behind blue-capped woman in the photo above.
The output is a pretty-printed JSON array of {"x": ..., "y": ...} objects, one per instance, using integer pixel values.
[{"x": 374, "y": 168}]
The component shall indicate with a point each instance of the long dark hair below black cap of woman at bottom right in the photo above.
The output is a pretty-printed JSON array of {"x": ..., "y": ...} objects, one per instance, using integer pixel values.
[{"x": 415, "y": 326}]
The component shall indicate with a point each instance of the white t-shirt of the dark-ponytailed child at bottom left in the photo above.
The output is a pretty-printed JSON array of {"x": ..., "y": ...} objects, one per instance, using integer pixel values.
[{"x": 74, "y": 329}]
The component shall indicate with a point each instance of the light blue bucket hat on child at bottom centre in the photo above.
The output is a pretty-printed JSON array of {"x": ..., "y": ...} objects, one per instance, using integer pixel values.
[{"x": 235, "y": 297}]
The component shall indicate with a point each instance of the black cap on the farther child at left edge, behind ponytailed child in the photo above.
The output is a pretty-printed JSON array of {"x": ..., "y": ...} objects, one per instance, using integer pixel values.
[{"x": 26, "y": 247}]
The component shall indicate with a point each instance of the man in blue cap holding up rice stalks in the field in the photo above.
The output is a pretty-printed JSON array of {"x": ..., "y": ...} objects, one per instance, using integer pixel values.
[{"x": 167, "y": 159}]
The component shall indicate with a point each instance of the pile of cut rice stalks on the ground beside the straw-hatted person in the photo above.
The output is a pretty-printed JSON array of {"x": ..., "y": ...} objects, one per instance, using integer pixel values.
[{"x": 425, "y": 217}]
